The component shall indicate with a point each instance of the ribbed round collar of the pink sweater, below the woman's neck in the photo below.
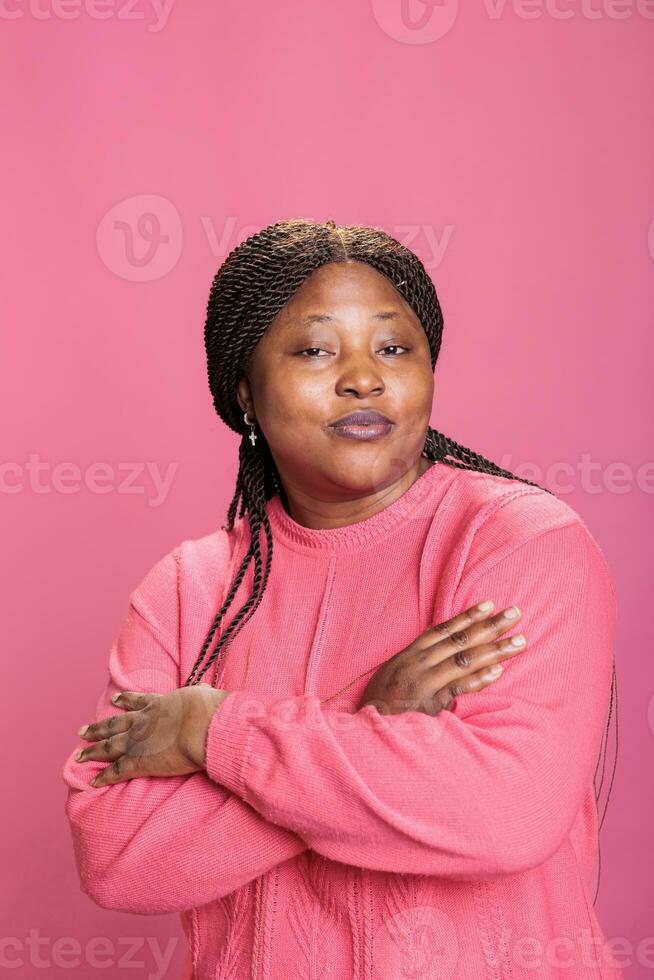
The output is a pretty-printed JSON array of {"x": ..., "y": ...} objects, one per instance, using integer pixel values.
[{"x": 287, "y": 530}]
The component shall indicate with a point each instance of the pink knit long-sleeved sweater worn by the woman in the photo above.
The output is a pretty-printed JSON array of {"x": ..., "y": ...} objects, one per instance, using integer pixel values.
[{"x": 323, "y": 842}]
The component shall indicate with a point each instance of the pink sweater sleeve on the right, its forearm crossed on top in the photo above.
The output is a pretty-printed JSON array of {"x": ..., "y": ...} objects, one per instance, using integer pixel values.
[{"x": 491, "y": 787}]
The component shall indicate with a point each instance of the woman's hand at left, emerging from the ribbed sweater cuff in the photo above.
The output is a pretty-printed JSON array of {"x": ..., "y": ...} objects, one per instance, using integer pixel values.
[{"x": 158, "y": 735}]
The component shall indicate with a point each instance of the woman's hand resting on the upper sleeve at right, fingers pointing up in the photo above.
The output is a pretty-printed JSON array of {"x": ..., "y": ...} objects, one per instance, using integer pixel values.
[{"x": 446, "y": 660}]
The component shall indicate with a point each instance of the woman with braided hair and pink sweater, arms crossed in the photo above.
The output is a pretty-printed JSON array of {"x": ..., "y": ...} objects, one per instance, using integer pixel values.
[{"x": 354, "y": 794}]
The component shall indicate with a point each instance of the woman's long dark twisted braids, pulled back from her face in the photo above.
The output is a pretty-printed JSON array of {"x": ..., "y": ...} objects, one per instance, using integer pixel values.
[{"x": 251, "y": 287}]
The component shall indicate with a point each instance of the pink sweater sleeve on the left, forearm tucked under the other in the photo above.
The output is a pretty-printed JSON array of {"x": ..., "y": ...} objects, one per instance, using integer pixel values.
[{"x": 161, "y": 844}]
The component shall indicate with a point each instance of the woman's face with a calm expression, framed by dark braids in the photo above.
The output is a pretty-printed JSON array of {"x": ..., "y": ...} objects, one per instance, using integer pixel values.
[{"x": 346, "y": 341}]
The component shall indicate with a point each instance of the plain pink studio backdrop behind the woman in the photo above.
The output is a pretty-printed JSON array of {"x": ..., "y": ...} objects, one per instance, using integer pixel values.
[{"x": 509, "y": 144}]
